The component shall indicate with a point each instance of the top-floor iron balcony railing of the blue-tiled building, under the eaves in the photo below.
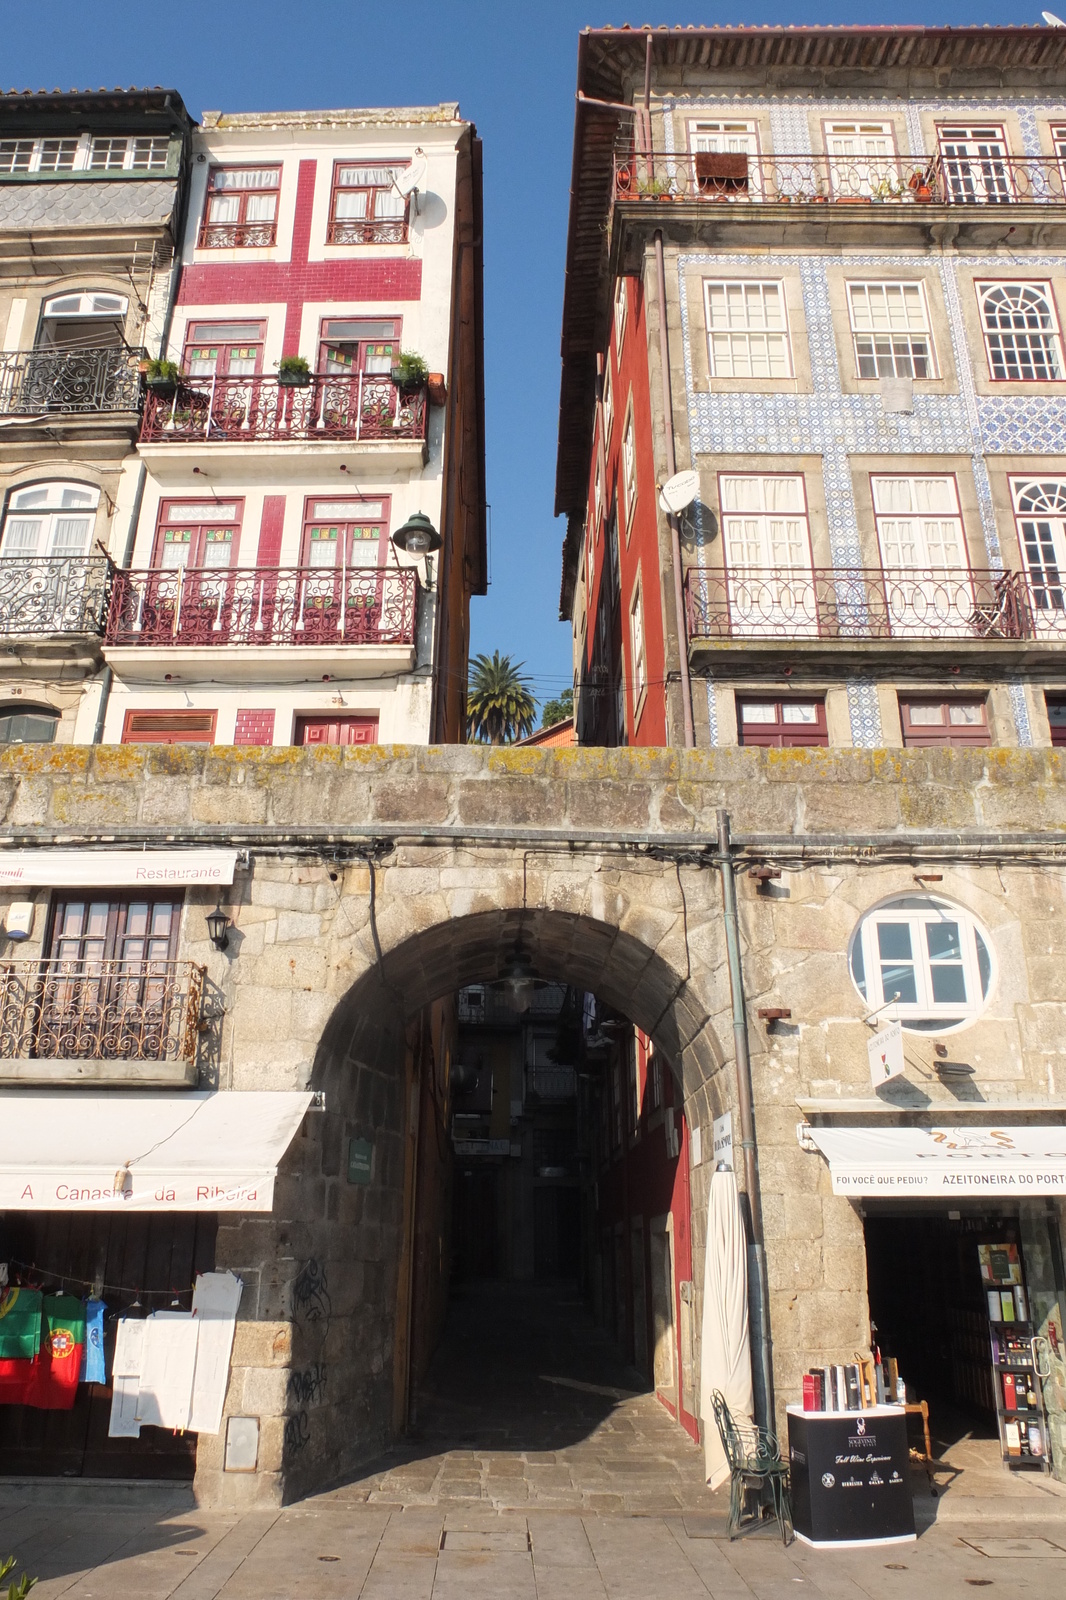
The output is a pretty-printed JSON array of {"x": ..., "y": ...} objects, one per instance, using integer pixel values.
[{"x": 843, "y": 180}]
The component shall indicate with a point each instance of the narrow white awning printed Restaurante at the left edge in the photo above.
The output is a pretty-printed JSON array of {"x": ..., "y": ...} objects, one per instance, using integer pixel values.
[{"x": 148, "y": 870}]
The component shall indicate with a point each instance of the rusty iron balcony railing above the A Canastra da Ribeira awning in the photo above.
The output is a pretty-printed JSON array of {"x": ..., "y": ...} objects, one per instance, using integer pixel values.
[{"x": 100, "y": 1010}]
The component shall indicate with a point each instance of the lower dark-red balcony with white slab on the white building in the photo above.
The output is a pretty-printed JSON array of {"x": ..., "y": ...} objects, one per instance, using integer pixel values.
[{"x": 324, "y": 612}]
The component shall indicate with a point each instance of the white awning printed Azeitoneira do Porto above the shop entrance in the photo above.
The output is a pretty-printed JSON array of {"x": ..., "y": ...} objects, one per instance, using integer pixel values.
[{"x": 915, "y": 1162}]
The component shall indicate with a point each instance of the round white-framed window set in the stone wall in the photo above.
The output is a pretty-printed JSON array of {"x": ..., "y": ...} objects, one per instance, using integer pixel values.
[{"x": 923, "y": 962}]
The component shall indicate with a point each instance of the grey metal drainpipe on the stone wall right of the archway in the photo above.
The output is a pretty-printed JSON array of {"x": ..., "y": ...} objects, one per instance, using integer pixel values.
[{"x": 759, "y": 1308}]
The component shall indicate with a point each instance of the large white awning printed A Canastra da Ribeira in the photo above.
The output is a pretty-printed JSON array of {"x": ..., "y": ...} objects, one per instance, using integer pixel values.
[{"x": 95, "y": 1151}]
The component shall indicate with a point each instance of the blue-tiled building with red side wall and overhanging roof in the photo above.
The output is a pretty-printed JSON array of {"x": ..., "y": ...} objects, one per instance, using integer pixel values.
[{"x": 806, "y": 298}]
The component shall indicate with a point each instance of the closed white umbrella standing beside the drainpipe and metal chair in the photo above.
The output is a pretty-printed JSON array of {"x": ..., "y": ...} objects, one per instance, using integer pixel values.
[{"x": 726, "y": 1361}]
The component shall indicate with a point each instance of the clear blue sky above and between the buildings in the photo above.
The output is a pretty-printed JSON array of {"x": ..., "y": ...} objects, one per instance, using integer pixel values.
[{"x": 513, "y": 71}]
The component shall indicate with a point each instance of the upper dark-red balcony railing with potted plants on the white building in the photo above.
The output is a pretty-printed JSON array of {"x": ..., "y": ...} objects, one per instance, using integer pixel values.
[{"x": 262, "y": 409}]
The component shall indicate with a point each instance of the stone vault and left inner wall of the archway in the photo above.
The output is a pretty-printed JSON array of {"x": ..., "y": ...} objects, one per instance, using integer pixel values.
[{"x": 345, "y": 1241}]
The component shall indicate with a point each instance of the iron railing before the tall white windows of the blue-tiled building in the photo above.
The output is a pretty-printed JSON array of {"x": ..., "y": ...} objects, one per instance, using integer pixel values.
[{"x": 857, "y": 604}]
